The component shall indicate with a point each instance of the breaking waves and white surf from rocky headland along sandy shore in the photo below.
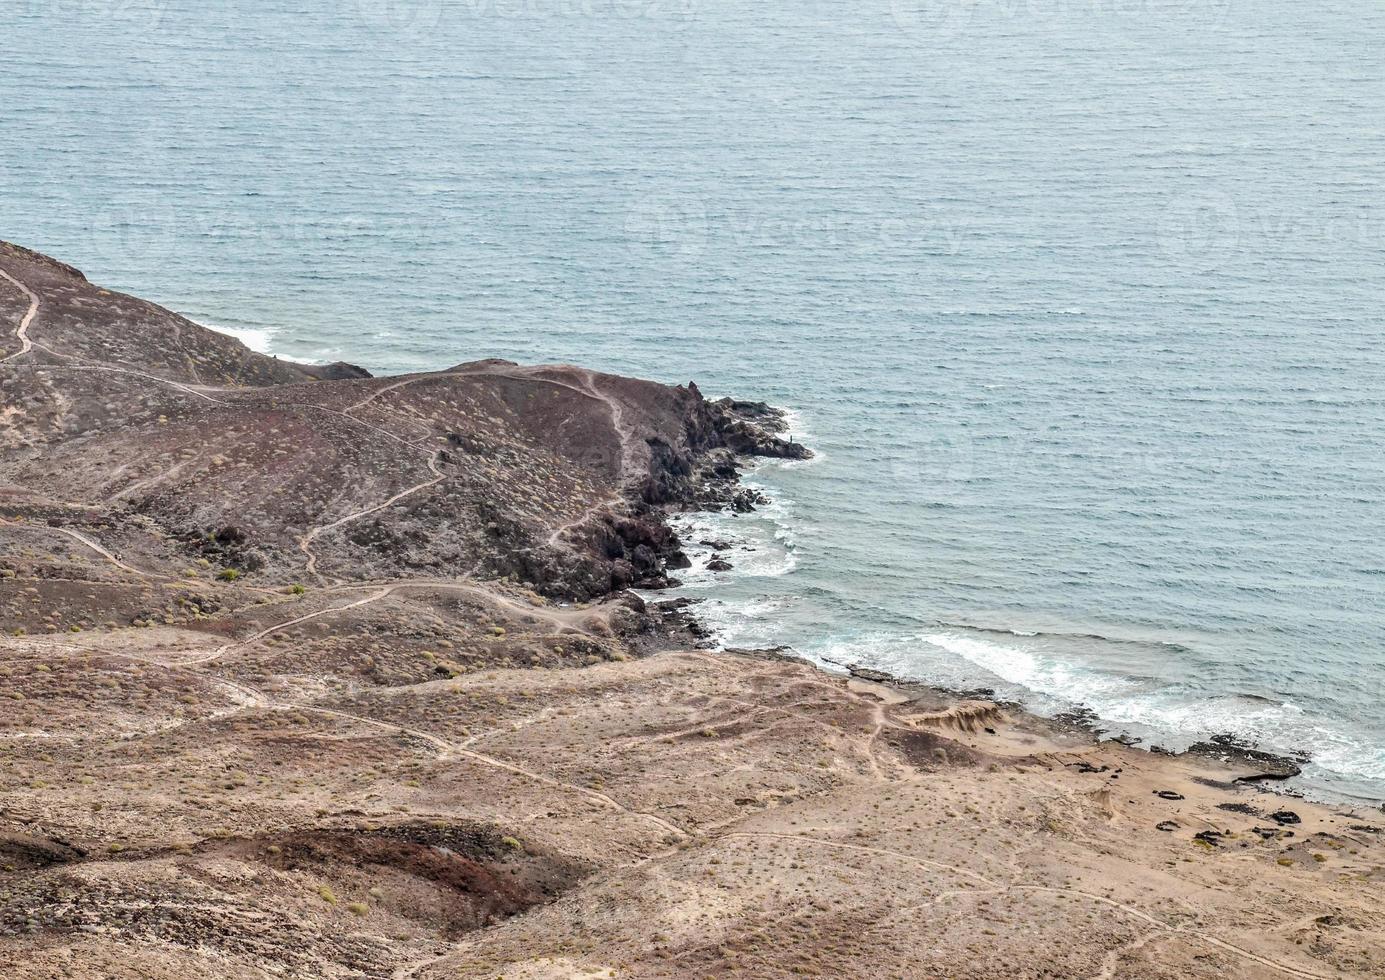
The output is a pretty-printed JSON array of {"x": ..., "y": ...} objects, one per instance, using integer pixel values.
[{"x": 1142, "y": 686}]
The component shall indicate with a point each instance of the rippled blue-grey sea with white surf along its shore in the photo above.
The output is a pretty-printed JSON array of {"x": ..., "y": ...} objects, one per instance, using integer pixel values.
[{"x": 1082, "y": 301}]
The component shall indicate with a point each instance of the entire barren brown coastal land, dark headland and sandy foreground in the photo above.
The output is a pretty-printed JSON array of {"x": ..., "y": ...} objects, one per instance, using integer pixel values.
[{"x": 318, "y": 675}]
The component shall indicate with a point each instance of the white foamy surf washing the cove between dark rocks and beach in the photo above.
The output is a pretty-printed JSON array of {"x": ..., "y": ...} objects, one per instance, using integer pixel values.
[{"x": 1020, "y": 664}]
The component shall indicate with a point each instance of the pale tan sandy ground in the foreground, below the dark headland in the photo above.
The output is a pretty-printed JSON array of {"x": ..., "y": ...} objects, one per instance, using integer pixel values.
[{"x": 688, "y": 815}]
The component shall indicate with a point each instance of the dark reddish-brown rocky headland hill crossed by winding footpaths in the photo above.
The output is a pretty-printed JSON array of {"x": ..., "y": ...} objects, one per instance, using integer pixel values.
[{"x": 545, "y": 475}]
